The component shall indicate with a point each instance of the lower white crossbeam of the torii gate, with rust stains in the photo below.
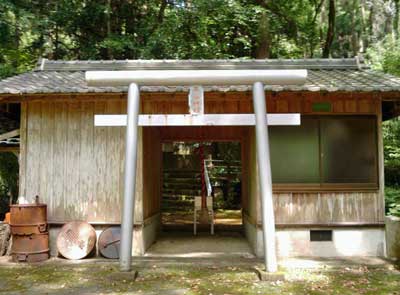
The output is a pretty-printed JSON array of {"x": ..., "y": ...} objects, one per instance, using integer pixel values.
[{"x": 198, "y": 120}]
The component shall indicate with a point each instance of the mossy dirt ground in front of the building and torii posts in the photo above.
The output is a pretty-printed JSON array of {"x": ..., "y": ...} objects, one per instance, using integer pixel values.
[{"x": 175, "y": 276}]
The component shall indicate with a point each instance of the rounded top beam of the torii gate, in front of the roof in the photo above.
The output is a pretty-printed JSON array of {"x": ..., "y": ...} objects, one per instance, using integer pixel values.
[{"x": 195, "y": 77}]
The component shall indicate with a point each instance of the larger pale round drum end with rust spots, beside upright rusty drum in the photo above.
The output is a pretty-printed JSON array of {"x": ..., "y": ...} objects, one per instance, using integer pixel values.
[{"x": 76, "y": 240}]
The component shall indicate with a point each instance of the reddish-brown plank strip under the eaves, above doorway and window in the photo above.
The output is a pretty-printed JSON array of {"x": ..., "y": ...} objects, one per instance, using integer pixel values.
[{"x": 277, "y": 102}]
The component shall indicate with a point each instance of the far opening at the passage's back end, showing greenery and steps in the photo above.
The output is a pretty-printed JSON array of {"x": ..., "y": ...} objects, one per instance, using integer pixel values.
[{"x": 201, "y": 169}]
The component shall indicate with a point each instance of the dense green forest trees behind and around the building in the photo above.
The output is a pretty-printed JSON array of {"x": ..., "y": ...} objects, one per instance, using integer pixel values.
[{"x": 203, "y": 29}]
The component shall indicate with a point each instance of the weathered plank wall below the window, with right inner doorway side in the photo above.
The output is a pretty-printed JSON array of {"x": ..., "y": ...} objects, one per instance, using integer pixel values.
[{"x": 317, "y": 208}]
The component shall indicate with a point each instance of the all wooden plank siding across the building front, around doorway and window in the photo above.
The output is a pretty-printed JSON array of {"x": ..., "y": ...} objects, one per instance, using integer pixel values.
[{"x": 78, "y": 169}]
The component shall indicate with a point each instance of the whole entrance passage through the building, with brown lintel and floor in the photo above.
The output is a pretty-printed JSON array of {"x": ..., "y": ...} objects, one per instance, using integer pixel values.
[{"x": 191, "y": 158}]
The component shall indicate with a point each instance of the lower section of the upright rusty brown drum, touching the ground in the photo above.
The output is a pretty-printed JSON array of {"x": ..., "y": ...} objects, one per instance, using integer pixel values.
[{"x": 30, "y": 248}]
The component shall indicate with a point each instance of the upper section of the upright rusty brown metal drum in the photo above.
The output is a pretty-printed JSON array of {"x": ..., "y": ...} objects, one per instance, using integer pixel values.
[{"x": 28, "y": 219}]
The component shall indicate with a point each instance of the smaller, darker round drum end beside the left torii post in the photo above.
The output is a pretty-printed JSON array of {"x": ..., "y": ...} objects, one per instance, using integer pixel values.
[{"x": 109, "y": 242}]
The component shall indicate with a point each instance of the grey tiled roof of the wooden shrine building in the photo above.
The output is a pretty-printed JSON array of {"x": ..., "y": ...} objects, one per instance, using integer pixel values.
[{"x": 323, "y": 75}]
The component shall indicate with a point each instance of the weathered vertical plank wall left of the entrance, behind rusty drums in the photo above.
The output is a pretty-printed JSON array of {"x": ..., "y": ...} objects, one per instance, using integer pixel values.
[{"x": 75, "y": 167}]
